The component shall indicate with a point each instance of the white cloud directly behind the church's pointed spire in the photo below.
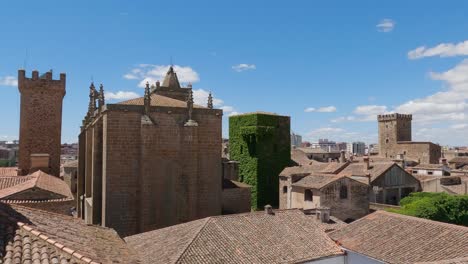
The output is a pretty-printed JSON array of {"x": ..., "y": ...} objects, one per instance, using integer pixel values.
[{"x": 152, "y": 73}]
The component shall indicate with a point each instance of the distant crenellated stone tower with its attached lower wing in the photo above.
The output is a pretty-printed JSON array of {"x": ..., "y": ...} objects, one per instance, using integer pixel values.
[{"x": 395, "y": 138}]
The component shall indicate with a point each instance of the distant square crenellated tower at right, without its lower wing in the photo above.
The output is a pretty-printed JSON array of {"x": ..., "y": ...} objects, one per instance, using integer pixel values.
[{"x": 393, "y": 128}]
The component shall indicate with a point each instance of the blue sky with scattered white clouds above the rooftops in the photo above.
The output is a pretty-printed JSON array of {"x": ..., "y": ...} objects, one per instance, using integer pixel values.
[{"x": 330, "y": 65}]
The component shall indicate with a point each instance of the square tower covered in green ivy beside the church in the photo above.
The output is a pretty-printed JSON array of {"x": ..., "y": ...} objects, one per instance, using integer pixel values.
[{"x": 261, "y": 143}]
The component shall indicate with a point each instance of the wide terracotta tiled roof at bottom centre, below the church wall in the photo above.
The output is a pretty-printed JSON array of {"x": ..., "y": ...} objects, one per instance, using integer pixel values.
[{"x": 288, "y": 236}]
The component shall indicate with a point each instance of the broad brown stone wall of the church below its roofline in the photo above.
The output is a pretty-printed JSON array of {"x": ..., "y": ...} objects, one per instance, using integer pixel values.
[{"x": 156, "y": 175}]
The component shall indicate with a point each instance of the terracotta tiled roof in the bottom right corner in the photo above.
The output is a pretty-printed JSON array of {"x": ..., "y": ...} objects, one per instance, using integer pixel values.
[{"x": 395, "y": 238}]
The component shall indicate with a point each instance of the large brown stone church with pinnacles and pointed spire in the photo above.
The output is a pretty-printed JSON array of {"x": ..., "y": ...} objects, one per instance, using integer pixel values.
[{"x": 149, "y": 162}]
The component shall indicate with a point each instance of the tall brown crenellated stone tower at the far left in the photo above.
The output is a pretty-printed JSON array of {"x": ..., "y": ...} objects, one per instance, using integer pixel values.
[{"x": 40, "y": 121}]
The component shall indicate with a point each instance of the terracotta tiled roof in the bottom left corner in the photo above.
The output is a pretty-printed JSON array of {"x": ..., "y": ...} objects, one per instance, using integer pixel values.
[{"x": 34, "y": 236}]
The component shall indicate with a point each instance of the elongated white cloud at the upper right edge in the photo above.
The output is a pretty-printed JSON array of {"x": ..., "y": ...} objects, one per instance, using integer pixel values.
[{"x": 441, "y": 50}]
